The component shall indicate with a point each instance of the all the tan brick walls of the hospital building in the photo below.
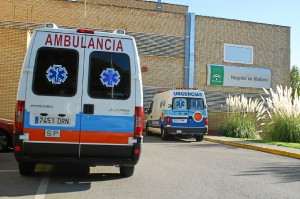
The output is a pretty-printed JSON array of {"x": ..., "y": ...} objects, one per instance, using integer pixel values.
[{"x": 271, "y": 43}]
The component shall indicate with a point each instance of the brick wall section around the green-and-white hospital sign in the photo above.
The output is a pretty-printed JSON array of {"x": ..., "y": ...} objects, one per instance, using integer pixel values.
[{"x": 271, "y": 48}]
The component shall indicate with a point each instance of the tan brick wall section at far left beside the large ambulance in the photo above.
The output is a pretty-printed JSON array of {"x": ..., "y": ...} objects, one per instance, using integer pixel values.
[{"x": 12, "y": 51}]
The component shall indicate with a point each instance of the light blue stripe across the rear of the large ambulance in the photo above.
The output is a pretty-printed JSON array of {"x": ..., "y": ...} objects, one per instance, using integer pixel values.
[{"x": 92, "y": 123}]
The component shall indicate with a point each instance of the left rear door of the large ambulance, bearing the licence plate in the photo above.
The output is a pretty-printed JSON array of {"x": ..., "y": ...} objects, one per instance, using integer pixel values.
[{"x": 53, "y": 95}]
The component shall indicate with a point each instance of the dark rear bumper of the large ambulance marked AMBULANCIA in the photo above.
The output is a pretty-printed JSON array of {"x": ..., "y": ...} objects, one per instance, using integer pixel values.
[{"x": 88, "y": 154}]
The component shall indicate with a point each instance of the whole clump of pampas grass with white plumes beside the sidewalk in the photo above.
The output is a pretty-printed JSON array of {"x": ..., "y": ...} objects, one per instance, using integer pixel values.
[{"x": 280, "y": 108}]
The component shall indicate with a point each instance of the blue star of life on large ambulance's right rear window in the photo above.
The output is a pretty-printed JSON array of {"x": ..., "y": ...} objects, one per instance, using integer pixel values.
[{"x": 110, "y": 77}]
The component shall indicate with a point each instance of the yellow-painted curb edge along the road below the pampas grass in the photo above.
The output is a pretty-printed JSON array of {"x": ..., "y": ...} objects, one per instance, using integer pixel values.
[{"x": 248, "y": 146}]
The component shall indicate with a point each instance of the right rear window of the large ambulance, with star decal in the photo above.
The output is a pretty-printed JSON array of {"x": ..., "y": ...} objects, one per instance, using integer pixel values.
[{"x": 109, "y": 75}]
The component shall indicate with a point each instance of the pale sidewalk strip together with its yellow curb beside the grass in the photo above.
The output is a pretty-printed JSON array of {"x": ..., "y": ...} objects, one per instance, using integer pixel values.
[{"x": 279, "y": 150}]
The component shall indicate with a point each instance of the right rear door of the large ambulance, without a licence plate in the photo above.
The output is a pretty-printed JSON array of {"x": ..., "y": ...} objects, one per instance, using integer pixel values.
[{"x": 109, "y": 98}]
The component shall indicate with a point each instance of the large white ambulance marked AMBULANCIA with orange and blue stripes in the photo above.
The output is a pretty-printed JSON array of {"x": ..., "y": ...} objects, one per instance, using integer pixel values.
[{"x": 79, "y": 100}]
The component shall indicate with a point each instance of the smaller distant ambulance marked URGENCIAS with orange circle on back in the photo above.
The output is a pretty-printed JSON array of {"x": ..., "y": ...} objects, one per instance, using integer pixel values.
[{"x": 181, "y": 113}]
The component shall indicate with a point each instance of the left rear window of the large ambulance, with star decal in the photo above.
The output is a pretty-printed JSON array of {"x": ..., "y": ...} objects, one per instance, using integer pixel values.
[{"x": 55, "y": 72}]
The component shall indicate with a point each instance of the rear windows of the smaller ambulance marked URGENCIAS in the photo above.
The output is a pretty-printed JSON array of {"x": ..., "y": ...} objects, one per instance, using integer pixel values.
[{"x": 180, "y": 103}]
